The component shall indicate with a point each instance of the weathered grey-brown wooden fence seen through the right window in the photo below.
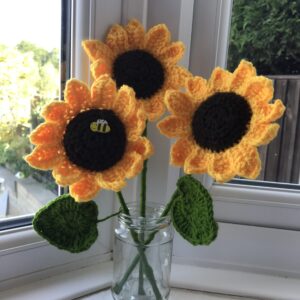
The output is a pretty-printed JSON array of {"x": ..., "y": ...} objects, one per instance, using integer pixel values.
[{"x": 281, "y": 158}]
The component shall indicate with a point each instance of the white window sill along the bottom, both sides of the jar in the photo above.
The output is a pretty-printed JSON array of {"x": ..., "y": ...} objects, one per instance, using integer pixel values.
[{"x": 84, "y": 281}]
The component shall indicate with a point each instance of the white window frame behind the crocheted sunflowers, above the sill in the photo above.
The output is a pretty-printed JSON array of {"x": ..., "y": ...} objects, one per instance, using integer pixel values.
[{"x": 257, "y": 224}]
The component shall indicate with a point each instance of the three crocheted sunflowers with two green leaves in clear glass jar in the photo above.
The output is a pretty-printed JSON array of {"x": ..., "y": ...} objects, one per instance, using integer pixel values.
[{"x": 97, "y": 138}]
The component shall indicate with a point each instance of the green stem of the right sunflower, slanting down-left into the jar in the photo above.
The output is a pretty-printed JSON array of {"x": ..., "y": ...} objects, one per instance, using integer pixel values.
[{"x": 117, "y": 289}]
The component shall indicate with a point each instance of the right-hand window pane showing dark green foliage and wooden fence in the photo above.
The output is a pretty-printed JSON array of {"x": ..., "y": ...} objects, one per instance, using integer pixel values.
[{"x": 266, "y": 32}]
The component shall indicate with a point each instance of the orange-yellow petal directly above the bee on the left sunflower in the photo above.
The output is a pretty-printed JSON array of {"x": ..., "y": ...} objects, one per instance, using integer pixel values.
[{"x": 103, "y": 92}]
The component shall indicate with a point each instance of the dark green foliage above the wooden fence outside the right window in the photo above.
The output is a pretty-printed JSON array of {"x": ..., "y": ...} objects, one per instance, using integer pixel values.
[{"x": 266, "y": 32}]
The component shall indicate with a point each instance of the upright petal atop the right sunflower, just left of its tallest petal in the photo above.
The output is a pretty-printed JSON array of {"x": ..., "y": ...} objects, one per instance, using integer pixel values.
[{"x": 220, "y": 80}]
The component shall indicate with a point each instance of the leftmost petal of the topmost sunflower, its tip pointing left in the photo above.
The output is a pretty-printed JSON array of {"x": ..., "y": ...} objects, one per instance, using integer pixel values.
[{"x": 96, "y": 49}]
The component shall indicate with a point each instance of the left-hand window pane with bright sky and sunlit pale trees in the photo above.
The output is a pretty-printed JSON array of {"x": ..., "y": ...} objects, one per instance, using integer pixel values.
[{"x": 29, "y": 78}]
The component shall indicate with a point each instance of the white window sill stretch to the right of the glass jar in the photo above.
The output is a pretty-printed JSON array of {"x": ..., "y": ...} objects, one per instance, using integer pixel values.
[{"x": 232, "y": 282}]
